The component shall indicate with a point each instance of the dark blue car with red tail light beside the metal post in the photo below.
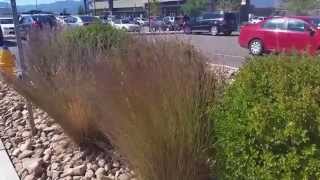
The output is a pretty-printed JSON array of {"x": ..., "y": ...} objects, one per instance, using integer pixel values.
[{"x": 29, "y": 22}]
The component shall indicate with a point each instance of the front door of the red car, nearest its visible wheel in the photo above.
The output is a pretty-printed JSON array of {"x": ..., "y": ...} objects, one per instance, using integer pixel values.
[{"x": 273, "y": 34}]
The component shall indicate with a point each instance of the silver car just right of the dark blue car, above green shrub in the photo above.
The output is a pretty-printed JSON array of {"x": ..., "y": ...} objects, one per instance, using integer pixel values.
[{"x": 76, "y": 21}]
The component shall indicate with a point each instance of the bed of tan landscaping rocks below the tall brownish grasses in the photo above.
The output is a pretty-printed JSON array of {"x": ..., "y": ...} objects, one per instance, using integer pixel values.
[{"x": 50, "y": 154}]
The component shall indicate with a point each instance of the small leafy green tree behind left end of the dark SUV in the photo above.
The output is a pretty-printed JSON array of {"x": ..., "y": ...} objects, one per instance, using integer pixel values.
[{"x": 194, "y": 7}]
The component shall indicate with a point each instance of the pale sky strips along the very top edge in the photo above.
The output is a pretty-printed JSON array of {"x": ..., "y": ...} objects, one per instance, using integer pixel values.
[{"x": 263, "y": 3}]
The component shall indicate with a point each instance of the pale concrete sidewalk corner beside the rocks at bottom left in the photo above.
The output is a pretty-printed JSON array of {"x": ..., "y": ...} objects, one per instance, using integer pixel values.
[{"x": 7, "y": 171}]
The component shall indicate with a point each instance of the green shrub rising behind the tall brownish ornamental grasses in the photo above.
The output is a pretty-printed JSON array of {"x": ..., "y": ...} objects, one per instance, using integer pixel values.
[{"x": 97, "y": 36}]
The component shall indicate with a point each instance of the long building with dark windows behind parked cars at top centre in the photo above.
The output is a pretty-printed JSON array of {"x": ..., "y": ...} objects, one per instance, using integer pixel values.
[{"x": 134, "y": 7}]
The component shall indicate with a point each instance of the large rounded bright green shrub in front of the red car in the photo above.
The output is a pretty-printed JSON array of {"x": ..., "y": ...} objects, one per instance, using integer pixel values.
[{"x": 268, "y": 124}]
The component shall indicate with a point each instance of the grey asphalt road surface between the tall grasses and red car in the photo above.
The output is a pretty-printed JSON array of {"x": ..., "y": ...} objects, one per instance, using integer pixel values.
[{"x": 222, "y": 50}]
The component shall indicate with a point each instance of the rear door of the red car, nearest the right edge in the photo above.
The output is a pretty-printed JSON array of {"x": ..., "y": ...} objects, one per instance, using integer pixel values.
[{"x": 299, "y": 37}]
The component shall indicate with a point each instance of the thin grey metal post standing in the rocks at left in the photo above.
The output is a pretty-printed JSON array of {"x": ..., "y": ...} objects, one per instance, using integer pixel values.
[{"x": 20, "y": 60}]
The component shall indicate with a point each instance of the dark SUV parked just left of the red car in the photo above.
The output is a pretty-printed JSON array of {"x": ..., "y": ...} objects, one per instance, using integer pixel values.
[{"x": 213, "y": 23}]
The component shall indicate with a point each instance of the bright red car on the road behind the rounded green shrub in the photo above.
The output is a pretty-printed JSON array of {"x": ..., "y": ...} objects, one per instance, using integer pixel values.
[{"x": 281, "y": 34}]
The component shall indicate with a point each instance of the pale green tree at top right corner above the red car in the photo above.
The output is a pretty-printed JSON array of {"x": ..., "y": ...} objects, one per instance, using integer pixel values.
[{"x": 301, "y": 7}]
